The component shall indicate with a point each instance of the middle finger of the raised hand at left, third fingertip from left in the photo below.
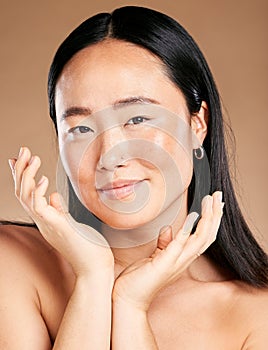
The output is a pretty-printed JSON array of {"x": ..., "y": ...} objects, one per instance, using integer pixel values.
[{"x": 28, "y": 180}]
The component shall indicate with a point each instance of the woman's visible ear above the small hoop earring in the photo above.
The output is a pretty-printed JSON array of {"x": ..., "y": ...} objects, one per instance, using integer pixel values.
[{"x": 199, "y": 122}]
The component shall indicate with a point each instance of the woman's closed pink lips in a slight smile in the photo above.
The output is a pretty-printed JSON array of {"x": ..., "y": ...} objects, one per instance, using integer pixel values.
[{"x": 120, "y": 189}]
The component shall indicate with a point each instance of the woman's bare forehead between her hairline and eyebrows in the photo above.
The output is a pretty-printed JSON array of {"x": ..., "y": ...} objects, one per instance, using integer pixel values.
[{"x": 111, "y": 70}]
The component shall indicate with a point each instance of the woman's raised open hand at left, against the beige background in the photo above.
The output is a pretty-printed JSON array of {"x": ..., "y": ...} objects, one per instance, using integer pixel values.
[{"x": 87, "y": 256}]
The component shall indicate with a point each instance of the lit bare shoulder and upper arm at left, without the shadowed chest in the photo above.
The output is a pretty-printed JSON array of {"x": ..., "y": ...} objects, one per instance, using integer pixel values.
[{"x": 23, "y": 256}]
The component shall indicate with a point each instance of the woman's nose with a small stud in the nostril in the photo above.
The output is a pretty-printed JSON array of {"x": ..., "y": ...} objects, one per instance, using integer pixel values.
[{"x": 113, "y": 149}]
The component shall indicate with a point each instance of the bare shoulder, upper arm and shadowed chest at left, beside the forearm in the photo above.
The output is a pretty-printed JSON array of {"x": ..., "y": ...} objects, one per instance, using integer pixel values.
[{"x": 34, "y": 289}]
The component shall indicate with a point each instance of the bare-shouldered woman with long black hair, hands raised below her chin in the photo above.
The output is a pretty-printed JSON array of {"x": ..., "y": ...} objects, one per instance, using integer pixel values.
[{"x": 121, "y": 80}]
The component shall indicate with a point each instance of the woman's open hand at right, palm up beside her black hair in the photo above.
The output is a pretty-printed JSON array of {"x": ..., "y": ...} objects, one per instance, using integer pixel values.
[{"x": 140, "y": 282}]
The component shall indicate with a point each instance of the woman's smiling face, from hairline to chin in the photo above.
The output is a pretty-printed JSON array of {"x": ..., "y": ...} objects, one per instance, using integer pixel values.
[{"x": 124, "y": 129}]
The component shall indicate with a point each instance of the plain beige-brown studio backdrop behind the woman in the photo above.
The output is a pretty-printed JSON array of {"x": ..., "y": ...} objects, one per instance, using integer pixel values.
[{"x": 232, "y": 34}]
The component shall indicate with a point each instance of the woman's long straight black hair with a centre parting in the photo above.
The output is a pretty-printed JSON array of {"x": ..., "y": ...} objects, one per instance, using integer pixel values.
[{"x": 235, "y": 248}]
